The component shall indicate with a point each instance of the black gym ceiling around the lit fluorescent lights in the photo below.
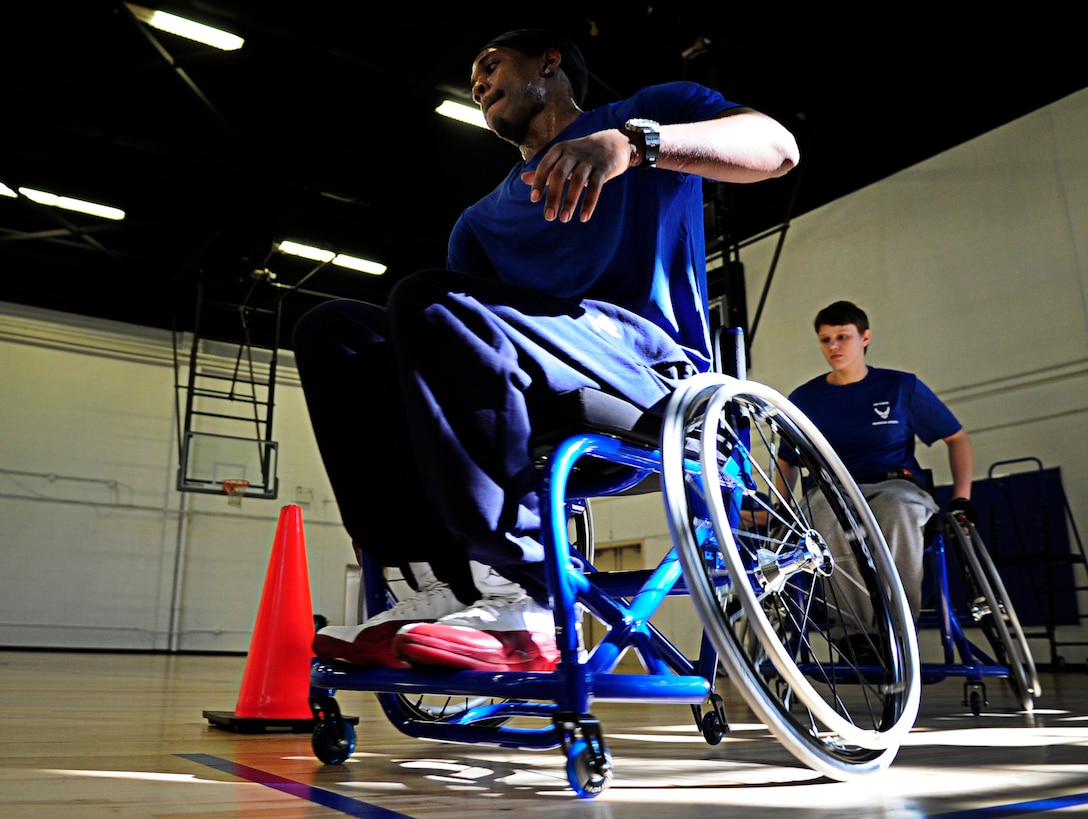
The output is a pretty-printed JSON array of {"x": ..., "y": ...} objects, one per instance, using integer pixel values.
[{"x": 322, "y": 130}]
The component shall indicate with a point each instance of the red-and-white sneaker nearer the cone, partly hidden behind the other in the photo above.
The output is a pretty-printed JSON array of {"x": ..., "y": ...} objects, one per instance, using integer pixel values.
[{"x": 372, "y": 643}]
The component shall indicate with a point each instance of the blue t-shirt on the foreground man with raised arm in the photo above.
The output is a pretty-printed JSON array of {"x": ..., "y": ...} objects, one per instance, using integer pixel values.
[{"x": 644, "y": 250}]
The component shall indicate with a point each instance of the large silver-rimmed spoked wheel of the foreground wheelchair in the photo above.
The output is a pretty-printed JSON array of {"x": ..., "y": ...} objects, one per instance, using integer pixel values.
[{"x": 773, "y": 598}]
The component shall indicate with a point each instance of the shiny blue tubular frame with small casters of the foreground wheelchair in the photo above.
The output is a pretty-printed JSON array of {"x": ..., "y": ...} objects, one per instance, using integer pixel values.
[{"x": 624, "y": 601}]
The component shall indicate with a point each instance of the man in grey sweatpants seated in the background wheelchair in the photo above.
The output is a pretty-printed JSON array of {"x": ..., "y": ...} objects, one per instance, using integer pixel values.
[{"x": 872, "y": 417}]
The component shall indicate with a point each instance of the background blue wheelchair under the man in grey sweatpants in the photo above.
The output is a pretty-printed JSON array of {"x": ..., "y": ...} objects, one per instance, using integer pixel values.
[{"x": 980, "y": 603}]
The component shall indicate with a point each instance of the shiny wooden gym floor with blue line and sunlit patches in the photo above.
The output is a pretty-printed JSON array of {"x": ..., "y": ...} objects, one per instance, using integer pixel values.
[{"x": 126, "y": 735}]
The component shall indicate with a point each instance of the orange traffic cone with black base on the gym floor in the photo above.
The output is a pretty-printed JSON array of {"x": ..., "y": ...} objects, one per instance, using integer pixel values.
[{"x": 276, "y": 685}]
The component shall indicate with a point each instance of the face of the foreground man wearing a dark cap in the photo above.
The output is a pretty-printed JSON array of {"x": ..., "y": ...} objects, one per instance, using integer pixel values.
[{"x": 508, "y": 86}]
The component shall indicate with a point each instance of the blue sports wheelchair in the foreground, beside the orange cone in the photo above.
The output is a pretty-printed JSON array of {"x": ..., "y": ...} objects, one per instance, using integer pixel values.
[{"x": 766, "y": 588}]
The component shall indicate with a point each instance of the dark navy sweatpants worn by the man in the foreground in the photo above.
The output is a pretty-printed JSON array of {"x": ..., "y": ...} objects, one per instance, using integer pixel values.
[{"x": 423, "y": 411}]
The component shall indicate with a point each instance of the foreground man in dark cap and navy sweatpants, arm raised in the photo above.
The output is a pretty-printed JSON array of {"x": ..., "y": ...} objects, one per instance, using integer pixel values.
[{"x": 585, "y": 268}]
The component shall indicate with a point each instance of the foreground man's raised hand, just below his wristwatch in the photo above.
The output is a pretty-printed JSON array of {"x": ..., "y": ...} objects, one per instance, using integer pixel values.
[{"x": 578, "y": 168}]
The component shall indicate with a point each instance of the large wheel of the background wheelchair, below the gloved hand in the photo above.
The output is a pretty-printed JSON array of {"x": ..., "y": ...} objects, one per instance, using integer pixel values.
[{"x": 992, "y": 611}]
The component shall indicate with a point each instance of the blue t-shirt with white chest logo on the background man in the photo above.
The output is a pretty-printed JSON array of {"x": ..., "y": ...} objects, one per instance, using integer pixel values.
[{"x": 873, "y": 424}]
